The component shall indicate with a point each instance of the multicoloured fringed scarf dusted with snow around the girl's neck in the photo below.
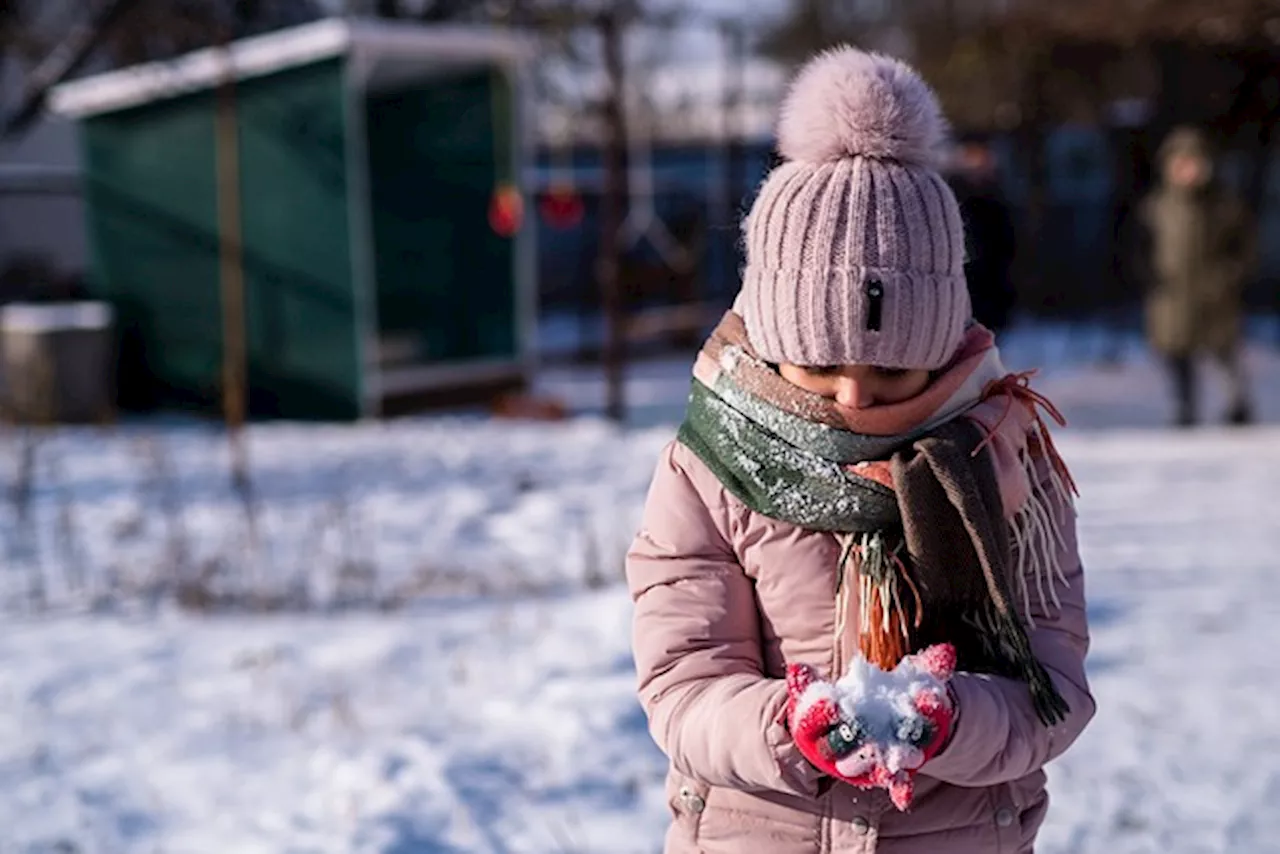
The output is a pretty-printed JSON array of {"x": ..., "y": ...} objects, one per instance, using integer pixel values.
[{"x": 935, "y": 500}]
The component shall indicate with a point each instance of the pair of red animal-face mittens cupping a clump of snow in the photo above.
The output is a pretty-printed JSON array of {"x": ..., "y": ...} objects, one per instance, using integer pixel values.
[{"x": 875, "y": 729}]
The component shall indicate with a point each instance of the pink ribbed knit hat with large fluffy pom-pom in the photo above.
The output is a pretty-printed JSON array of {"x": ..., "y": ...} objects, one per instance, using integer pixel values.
[{"x": 856, "y": 246}]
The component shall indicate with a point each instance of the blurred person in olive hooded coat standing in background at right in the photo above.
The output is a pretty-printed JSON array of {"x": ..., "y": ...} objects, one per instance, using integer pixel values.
[{"x": 1196, "y": 253}]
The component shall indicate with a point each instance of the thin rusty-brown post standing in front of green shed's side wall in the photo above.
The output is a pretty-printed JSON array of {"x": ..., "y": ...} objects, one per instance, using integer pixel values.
[{"x": 231, "y": 263}]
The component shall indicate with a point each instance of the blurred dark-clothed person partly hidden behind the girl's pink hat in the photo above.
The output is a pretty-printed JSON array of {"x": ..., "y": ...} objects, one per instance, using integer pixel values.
[{"x": 990, "y": 232}]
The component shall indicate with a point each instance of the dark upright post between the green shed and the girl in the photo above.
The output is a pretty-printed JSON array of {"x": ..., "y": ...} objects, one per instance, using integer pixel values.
[{"x": 612, "y": 212}]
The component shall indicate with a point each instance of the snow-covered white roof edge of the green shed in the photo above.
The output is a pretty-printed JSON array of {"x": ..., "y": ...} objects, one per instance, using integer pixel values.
[{"x": 277, "y": 52}]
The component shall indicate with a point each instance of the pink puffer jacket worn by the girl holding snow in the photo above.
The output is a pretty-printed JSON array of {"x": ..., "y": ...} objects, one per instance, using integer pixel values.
[{"x": 725, "y": 599}]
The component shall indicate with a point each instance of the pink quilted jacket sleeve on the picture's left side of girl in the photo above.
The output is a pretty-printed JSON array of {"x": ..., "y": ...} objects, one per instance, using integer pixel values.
[{"x": 698, "y": 646}]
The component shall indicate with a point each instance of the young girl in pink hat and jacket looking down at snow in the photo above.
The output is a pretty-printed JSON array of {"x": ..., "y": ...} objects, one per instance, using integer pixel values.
[{"x": 858, "y": 481}]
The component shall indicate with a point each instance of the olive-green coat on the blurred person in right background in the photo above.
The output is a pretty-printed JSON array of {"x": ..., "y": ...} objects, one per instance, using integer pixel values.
[{"x": 1200, "y": 250}]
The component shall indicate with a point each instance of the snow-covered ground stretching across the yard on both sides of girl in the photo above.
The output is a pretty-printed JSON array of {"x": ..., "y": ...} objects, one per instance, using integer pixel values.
[{"x": 506, "y": 724}]
